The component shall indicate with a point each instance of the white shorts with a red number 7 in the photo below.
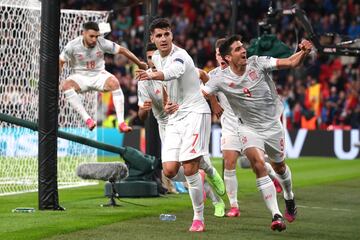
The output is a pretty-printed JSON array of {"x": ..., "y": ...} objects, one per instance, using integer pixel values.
[{"x": 187, "y": 138}]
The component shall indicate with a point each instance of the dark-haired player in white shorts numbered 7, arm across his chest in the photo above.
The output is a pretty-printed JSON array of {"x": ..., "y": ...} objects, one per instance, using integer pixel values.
[{"x": 188, "y": 128}]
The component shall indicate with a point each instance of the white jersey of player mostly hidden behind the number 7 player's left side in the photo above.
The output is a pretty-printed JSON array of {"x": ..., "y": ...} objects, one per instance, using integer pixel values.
[{"x": 152, "y": 90}]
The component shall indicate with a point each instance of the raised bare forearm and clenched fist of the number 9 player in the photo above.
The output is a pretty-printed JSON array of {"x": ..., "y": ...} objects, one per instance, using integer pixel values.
[{"x": 295, "y": 59}]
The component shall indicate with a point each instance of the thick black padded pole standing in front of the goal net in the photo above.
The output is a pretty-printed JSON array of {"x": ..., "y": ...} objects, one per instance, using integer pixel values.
[{"x": 48, "y": 105}]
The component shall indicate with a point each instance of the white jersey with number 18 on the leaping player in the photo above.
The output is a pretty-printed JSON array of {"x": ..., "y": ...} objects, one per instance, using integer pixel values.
[{"x": 87, "y": 61}]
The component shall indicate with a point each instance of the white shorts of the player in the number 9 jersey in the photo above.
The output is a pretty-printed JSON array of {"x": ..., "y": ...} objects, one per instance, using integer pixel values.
[{"x": 271, "y": 141}]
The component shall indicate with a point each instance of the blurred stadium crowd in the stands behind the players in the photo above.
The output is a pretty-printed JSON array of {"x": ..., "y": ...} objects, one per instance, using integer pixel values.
[{"x": 324, "y": 94}]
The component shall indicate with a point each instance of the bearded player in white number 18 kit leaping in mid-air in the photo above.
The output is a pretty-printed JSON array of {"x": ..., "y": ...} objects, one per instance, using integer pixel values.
[{"x": 85, "y": 57}]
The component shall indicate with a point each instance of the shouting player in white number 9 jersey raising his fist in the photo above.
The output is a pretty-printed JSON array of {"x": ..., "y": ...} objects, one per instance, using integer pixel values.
[{"x": 252, "y": 96}]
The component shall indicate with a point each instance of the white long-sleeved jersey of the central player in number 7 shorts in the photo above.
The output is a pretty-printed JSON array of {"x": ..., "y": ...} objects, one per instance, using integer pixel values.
[{"x": 182, "y": 82}]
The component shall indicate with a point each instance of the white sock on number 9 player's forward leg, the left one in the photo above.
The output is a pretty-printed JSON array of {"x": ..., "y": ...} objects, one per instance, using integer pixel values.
[{"x": 268, "y": 192}]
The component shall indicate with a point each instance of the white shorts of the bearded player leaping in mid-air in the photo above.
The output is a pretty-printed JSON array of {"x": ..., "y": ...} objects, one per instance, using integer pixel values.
[{"x": 86, "y": 83}]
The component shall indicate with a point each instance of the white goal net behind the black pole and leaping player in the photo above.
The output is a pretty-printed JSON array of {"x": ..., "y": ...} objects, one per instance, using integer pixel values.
[{"x": 20, "y": 23}]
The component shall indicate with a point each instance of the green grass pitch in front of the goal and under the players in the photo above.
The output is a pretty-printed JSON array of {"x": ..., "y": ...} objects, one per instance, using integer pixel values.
[{"x": 327, "y": 193}]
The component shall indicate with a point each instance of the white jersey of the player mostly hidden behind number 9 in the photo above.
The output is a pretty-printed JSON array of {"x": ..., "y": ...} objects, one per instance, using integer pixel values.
[{"x": 228, "y": 118}]
